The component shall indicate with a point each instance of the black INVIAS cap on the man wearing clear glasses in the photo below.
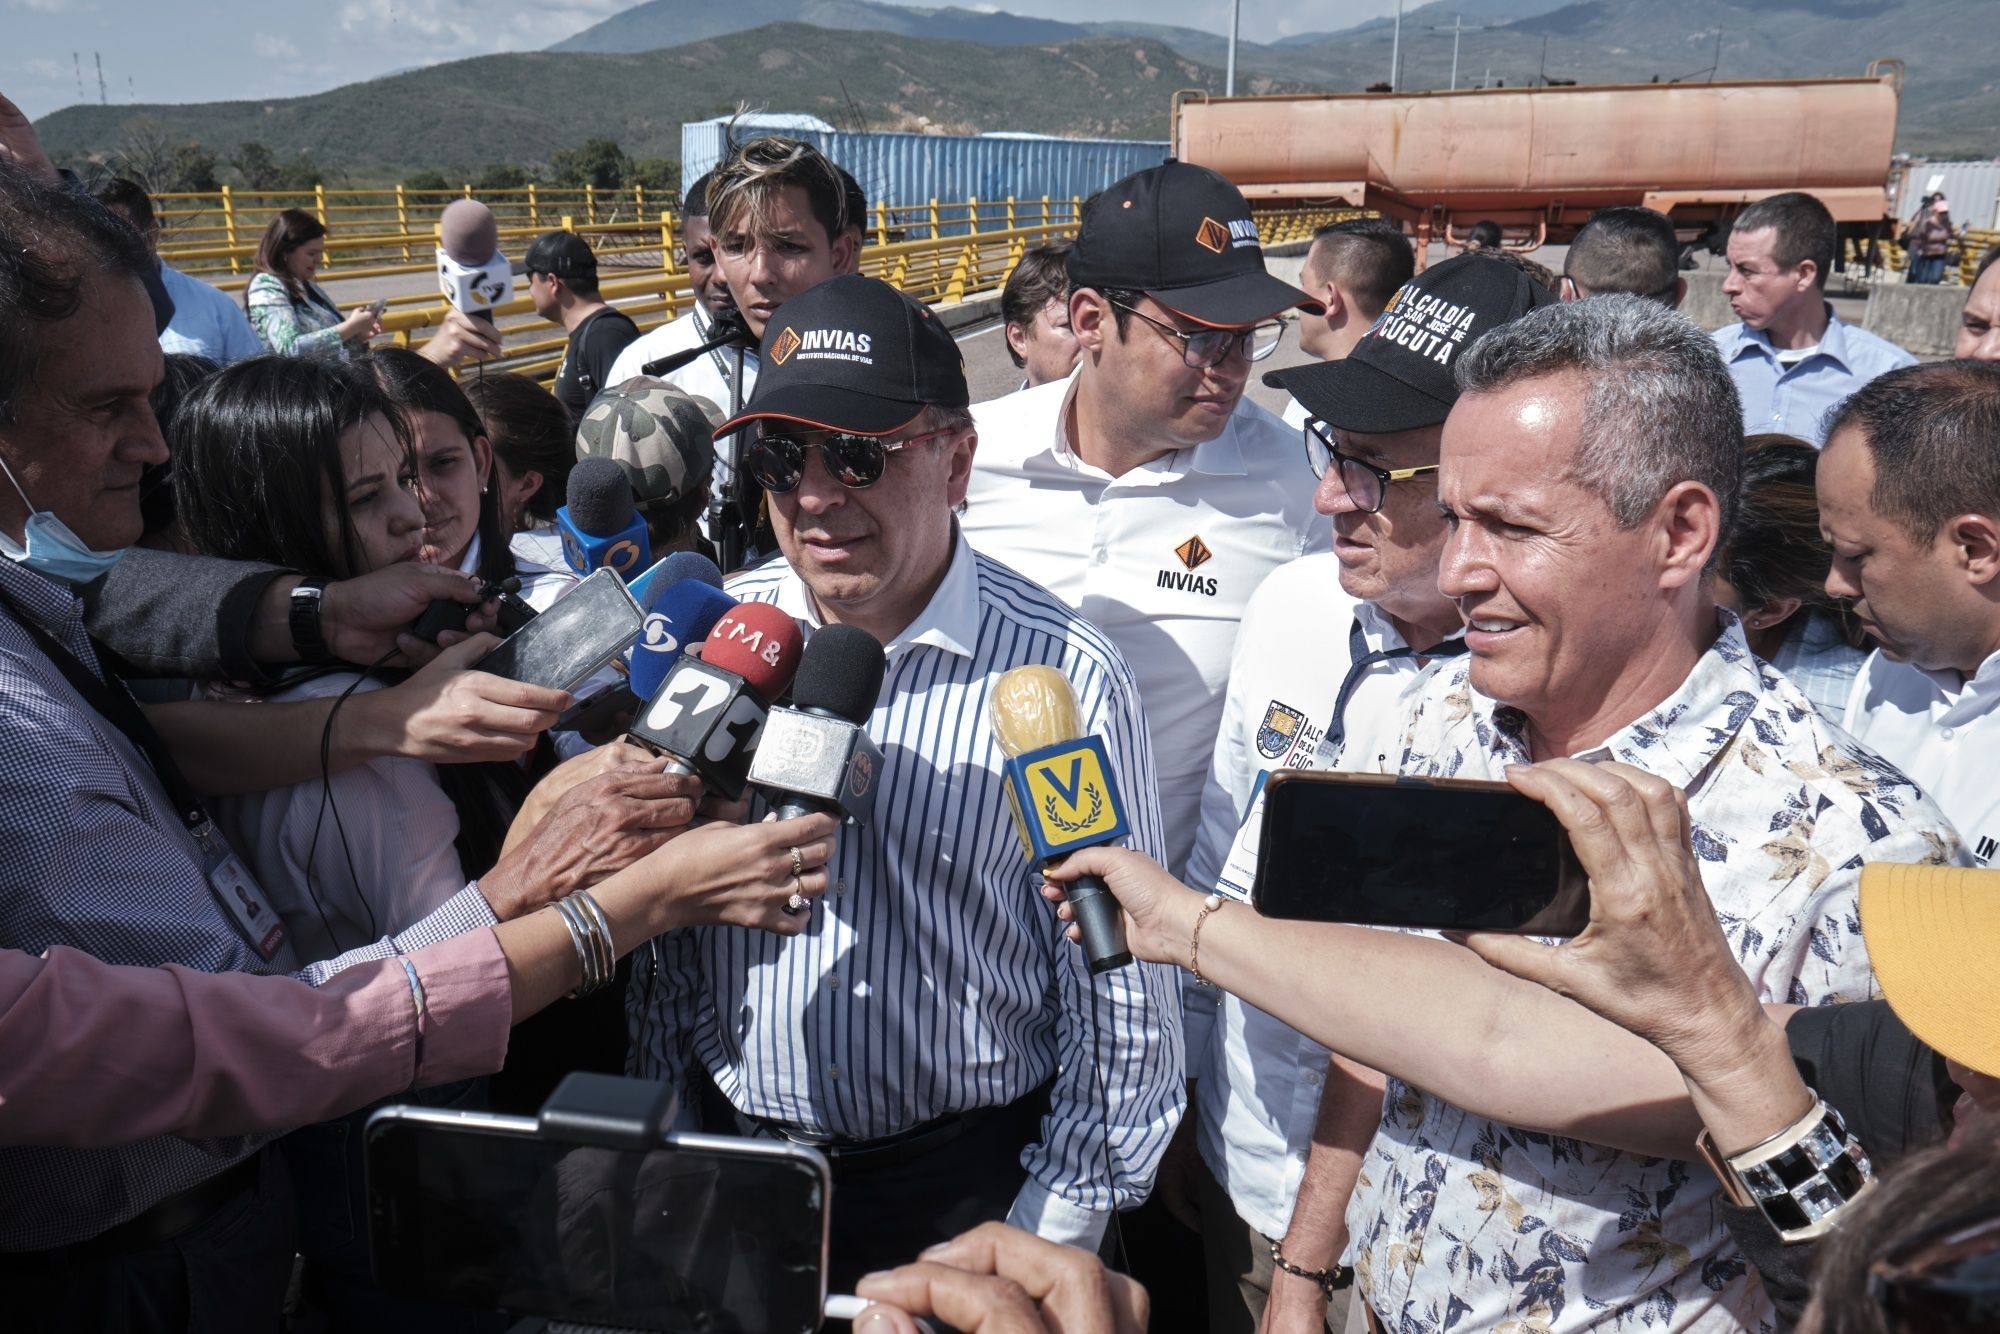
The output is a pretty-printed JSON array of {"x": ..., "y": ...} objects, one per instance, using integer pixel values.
[{"x": 1183, "y": 237}]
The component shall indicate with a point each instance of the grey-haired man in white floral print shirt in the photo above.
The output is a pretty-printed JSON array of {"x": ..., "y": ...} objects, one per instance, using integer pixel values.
[{"x": 1589, "y": 475}]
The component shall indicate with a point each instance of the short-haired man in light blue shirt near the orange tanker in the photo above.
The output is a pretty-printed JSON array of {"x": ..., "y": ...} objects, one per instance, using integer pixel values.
[{"x": 1793, "y": 357}]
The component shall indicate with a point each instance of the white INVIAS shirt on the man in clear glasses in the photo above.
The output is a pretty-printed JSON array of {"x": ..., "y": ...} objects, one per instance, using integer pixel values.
[{"x": 1163, "y": 559}]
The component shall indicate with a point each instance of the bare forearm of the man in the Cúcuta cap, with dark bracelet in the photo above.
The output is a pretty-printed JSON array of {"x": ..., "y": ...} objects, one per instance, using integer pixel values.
[{"x": 1351, "y": 1109}]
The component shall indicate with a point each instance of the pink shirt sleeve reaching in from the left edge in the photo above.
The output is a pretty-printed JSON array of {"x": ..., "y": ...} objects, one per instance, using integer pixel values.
[{"x": 95, "y": 1055}]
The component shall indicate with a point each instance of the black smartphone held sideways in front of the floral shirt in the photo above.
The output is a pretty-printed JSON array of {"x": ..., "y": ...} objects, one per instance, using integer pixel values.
[{"x": 1427, "y": 853}]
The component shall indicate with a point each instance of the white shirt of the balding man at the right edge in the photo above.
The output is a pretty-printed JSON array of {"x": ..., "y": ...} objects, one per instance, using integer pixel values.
[{"x": 1941, "y": 731}]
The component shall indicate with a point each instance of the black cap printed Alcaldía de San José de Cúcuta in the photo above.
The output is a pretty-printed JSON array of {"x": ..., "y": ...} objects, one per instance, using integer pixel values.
[{"x": 1399, "y": 377}]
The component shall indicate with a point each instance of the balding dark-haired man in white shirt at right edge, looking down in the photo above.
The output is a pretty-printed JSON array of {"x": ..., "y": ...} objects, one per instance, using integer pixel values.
[{"x": 1911, "y": 501}]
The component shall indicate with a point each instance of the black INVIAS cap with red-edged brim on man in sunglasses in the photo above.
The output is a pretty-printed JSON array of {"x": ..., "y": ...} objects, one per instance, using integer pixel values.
[{"x": 855, "y": 355}]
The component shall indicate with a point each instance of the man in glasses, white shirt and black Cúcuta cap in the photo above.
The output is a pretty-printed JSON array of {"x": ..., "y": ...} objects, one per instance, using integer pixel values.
[{"x": 1325, "y": 653}]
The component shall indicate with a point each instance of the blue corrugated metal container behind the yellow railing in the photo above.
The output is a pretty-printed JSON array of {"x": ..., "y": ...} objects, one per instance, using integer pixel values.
[{"x": 911, "y": 169}]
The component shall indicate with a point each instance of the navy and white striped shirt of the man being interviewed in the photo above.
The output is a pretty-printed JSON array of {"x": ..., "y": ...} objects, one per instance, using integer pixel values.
[{"x": 935, "y": 979}]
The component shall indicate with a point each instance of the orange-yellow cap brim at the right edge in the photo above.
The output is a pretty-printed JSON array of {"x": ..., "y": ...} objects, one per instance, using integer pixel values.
[{"x": 1935, "y": 943}]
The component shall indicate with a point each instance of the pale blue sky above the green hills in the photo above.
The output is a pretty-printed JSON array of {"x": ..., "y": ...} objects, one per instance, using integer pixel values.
[{"x": 213, "y": 51}]
